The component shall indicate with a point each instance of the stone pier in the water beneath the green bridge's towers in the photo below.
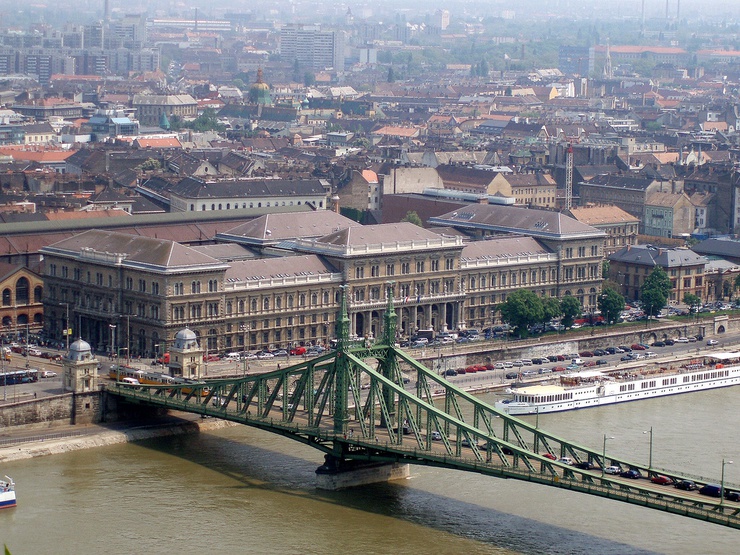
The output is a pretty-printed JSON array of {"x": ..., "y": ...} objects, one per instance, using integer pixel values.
[{"x": 336, "y": 474}]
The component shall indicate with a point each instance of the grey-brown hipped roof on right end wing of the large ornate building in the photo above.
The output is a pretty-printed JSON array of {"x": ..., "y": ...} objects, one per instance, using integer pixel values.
[{"x": 542, "y": 224}]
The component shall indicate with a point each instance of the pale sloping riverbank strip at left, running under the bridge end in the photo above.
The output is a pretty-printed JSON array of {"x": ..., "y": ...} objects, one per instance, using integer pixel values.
[{"x": 22, "y": 444}]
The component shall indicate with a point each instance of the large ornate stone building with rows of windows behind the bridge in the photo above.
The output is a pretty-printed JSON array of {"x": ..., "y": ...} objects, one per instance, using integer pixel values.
[{"x": 277, "y": 281}]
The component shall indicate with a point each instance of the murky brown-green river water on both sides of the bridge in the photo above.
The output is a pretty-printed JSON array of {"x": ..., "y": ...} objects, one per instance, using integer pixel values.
[{"x": 240, "y": 490}]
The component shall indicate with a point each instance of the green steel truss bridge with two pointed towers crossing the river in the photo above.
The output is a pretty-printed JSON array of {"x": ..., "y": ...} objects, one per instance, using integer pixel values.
[{"x": 352, "y": 403}]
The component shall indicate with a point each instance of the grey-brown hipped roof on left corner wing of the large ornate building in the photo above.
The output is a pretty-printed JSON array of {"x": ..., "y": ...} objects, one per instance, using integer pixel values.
[{"x": 116, "y": 248}]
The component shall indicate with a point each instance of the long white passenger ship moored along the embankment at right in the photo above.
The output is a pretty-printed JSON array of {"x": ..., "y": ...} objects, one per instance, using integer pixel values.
[{"x": 595, "y": 388}]
